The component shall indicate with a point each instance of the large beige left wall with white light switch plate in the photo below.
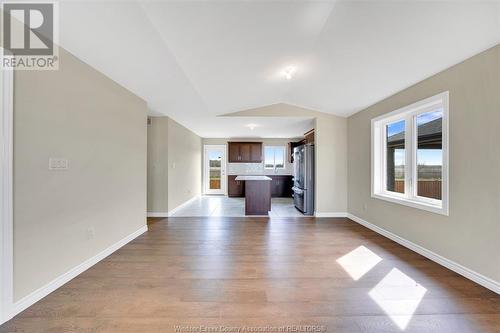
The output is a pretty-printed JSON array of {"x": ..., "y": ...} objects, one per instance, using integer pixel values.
[{"x": 79, "y": 114}]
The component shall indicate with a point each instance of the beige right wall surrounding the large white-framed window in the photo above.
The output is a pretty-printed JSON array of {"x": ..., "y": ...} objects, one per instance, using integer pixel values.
[{"x": 470, "y": 235}]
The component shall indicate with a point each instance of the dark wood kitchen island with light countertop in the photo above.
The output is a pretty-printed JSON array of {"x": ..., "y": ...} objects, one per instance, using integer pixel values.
[{"x": 257, "y": 194}]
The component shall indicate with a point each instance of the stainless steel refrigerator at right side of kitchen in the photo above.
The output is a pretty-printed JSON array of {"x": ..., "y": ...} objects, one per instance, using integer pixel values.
[{"x": 303, "y": 181}]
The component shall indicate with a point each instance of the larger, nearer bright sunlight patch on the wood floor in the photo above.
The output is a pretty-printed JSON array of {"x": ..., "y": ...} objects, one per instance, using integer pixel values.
[{"x": 399, "y": 296}]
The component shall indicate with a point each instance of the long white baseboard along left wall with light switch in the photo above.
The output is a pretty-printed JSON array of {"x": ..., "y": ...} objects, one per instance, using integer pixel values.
[{"x": 40, "y": 293}]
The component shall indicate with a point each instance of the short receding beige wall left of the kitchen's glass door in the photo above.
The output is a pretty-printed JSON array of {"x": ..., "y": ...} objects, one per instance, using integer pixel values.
[{"x": 184, "y": 164}]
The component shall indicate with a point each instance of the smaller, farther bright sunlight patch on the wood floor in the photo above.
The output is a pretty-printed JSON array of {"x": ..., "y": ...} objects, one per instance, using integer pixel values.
[{"x": 359, "y": 261}]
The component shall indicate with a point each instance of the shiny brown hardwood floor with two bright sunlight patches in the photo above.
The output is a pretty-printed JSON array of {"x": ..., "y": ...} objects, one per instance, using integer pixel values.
[{"x": 263, "y": 274}]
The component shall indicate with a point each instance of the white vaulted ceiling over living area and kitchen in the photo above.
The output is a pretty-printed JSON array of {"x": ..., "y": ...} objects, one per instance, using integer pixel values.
[{"x": 194, "y": 60}]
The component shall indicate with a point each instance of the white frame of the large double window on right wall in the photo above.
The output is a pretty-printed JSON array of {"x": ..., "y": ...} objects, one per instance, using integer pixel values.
[{"x": 379, "y": 160}]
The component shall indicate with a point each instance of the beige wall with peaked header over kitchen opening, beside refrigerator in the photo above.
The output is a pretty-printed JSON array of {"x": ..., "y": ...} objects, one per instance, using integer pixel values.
[{"x": 331, "y": 152}]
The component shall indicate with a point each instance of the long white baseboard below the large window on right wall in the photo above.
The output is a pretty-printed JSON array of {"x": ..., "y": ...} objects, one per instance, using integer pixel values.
[{"x": 450, "y": 264}]
